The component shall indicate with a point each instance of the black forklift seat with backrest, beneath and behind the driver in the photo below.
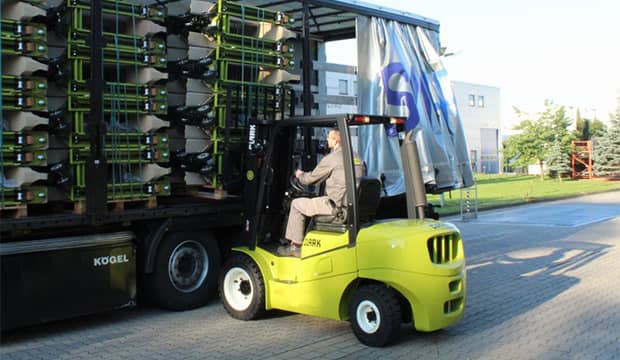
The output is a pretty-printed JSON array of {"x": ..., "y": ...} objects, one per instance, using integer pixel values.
[{"x": 368, "y": 195}]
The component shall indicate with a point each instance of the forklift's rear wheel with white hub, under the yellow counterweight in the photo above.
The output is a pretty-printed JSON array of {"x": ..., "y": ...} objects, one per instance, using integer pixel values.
[{"x": 375, "y": 315}]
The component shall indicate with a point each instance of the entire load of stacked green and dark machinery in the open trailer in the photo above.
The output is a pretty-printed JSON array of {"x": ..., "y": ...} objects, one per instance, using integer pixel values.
[{"x": 182, "y": 82}]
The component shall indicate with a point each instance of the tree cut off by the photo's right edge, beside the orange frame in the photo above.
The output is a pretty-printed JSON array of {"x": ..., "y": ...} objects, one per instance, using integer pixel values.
[{"x": 607, "y": 148}]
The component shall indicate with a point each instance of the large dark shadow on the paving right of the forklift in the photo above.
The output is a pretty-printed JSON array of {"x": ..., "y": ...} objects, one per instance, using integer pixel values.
[{"x": 508, "y": 278}]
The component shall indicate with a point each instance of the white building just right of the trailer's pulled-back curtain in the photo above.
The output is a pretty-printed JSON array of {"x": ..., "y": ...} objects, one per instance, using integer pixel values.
[{"x": 479, "y": 107}]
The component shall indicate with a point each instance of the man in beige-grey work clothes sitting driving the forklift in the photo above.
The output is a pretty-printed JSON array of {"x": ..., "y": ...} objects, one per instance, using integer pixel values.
[{"x": 331, "y": 170}]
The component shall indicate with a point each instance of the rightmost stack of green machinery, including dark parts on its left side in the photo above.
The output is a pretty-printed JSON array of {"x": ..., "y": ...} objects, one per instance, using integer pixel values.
[{"x": 229, "y": 65}]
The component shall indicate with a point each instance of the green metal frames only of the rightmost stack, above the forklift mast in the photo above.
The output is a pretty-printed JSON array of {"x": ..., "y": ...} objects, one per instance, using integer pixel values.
[{"x": 244, "y": 44}]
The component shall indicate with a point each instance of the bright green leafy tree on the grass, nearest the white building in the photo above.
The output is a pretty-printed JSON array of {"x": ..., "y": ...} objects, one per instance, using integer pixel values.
[{"x": 538, "y": 135}]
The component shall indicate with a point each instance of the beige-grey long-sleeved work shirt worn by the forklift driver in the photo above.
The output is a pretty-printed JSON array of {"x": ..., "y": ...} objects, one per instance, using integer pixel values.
[{"x": 331, "y": 170}]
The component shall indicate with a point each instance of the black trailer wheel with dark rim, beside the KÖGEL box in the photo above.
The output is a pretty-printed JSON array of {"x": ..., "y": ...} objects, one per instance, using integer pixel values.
[{"x": 186, "y": 270}]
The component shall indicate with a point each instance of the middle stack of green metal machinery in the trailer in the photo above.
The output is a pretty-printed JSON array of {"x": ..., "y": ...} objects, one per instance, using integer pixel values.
[{"x": 136, "y": 142}]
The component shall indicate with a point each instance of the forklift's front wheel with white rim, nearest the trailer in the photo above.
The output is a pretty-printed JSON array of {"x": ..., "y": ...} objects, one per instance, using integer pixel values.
[{"x": 242, "y": 288}]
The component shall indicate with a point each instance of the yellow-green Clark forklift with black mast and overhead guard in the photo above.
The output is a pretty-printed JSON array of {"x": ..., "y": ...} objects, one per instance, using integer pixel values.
[{"x": 360, "y": 264}]
